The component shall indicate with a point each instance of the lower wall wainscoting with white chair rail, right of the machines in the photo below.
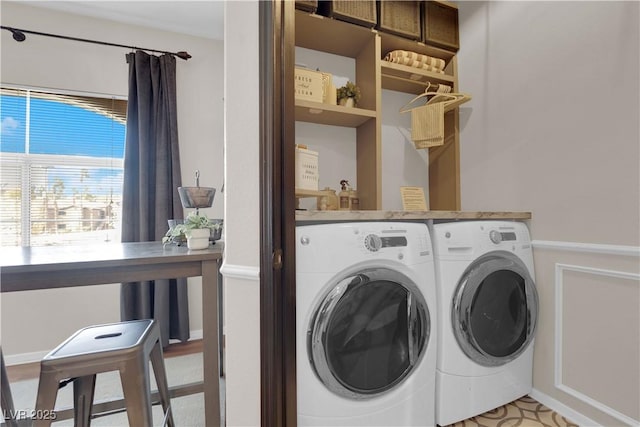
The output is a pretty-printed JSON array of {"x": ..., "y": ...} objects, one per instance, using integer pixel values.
[{"x": 588, "y": 342}]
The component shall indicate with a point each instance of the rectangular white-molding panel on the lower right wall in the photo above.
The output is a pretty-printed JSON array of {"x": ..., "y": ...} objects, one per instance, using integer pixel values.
[{"x": 597, "y": 319}]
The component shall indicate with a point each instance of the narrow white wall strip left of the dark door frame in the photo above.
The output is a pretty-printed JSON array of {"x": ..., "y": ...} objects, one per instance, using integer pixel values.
[{"x": 242, "y": 214}]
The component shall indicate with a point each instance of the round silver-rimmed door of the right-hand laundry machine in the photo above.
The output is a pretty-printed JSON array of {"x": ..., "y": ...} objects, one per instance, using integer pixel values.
[{"x": 494, "y": 310}]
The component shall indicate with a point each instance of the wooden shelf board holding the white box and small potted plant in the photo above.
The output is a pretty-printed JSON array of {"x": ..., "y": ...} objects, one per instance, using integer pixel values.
[{"x": 327, "y": 114}]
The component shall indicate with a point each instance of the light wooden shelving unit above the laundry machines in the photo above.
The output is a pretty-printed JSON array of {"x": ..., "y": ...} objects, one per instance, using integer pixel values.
[{"x": 368, "y": 47}]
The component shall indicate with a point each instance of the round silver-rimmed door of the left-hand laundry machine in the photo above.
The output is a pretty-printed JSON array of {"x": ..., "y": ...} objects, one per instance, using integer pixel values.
[{"x": 368, "y": 333}]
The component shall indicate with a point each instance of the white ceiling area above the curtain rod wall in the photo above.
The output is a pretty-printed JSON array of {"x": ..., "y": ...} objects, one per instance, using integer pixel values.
[{"x": 204, "y": 18}]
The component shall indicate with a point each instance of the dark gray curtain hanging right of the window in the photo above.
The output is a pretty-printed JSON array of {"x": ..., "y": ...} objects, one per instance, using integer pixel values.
[{"x": 151, "y": 179}]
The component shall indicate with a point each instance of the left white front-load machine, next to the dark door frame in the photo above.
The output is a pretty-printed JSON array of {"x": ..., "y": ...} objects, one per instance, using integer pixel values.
[{"x": 366, "y": 335}]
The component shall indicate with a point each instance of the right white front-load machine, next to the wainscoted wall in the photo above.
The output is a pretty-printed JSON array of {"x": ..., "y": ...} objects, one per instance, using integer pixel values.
[{"x": 487, "y": 314}]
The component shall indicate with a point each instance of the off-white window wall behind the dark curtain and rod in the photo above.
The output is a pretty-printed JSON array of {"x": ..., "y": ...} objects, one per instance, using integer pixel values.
[{"x": 35, "y": 322}]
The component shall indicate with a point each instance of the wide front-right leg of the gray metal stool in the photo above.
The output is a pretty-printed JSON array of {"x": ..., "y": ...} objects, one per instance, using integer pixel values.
[{"x": 137, "y": 394}]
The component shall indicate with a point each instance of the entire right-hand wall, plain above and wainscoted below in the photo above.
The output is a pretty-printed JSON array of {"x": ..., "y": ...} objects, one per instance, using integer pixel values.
[{"x": 553, "y": 129}]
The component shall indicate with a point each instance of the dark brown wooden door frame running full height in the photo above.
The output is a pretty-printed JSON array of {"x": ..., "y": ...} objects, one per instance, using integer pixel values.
[{"x": 277, "y": 214}]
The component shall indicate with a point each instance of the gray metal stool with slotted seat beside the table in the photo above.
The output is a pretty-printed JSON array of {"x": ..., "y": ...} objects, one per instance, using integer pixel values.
[{"x": 126, "y": 347}]
